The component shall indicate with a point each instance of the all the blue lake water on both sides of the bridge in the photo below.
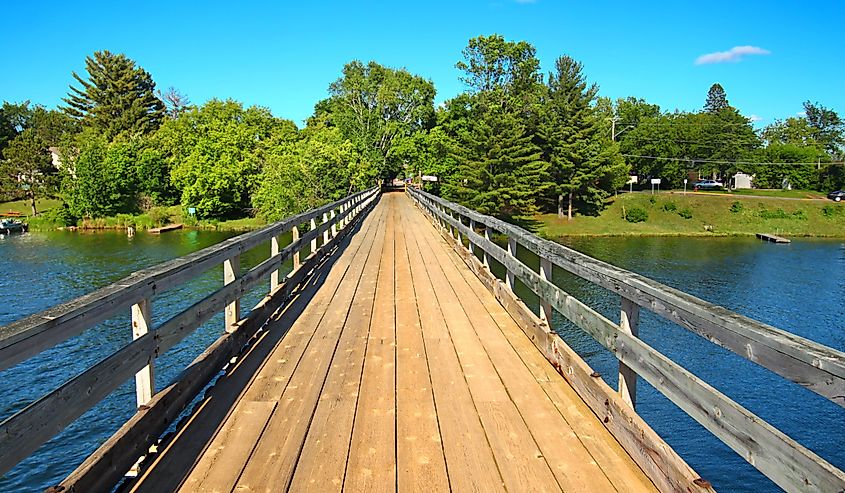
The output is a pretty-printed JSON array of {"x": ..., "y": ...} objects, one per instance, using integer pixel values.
[{"x": 798, "y": 287}]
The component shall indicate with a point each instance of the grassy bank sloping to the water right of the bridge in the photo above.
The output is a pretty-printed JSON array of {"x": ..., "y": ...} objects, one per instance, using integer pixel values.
[{"x": 676, "y": 214}]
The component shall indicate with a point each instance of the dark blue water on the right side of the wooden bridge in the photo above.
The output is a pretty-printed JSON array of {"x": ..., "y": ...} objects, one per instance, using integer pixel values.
[{"x": 798, "y": 287}]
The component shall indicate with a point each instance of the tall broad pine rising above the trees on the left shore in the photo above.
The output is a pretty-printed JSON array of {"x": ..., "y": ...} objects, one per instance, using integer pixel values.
[{"x": 118, "y": 97}]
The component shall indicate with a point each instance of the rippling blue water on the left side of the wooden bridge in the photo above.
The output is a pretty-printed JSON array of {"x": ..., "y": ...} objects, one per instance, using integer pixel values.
[{"x": 42, "y": 269}]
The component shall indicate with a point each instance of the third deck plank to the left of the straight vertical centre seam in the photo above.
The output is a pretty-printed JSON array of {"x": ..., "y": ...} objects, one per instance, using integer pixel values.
[{"x": 275, "y": 456}]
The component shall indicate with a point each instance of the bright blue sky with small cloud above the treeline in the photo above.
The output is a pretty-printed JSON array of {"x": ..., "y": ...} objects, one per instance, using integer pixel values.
[{"x": 283, "y": 55}]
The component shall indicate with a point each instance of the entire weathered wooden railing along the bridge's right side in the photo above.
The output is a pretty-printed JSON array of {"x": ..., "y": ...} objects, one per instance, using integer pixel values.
[{"x": 812, "y": 365}]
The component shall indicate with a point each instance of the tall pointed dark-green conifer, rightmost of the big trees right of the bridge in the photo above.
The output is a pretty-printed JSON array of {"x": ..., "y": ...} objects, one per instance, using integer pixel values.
[{"x": 585, "y": 165}]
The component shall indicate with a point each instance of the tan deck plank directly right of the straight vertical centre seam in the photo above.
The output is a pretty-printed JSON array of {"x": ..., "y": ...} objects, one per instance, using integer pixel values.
[{"x": 421, "y": 465}]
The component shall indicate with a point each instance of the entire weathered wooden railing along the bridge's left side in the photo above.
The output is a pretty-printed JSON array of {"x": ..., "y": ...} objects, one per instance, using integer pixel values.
[{"x": 24, "y": 432}]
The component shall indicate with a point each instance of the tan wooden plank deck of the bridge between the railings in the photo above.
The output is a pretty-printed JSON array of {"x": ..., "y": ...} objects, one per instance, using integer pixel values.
[{"x": 398, "y": 371}]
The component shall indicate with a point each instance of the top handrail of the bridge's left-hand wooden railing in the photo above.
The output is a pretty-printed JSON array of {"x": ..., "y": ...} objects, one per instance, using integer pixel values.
[{"x": 31, "y": 335}]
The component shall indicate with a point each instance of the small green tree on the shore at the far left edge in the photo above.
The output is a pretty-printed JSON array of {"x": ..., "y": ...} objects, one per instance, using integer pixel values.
[{"x": 28, "y": 165}]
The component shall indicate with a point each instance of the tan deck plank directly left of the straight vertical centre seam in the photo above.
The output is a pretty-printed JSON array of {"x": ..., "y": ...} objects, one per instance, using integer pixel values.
[{"x": 372, "y": 452}]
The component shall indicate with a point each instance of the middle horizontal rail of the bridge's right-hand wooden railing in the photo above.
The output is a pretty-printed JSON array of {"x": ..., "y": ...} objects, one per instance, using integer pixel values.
[{"x": 783, "y": 460}]
